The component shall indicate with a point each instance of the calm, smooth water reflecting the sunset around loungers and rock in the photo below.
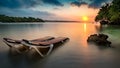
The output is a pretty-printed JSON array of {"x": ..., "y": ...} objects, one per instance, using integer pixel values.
[{"x": 76, "y": 53}]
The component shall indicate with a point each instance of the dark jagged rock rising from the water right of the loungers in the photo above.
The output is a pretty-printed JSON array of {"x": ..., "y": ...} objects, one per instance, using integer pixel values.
[{"x": 99, "y": 39}]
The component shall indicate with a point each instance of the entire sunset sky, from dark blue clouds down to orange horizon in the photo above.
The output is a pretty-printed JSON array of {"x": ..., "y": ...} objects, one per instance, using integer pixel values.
[{"x": 52, "y": 9}]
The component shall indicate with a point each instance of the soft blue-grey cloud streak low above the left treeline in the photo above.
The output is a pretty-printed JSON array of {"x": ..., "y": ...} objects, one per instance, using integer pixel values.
[{"x": 26, "y": 13}]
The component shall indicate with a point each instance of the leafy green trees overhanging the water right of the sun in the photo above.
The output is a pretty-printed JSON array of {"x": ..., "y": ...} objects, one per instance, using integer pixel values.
[{"x": 109, "y": 13}]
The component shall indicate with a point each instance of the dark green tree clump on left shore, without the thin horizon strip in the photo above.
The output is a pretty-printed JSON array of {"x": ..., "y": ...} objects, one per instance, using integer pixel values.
[{"x": 4, "y": 18}]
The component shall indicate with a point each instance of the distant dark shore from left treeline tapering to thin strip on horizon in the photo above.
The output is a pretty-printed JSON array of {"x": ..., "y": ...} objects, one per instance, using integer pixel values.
[{"x": 10, "y": 19}]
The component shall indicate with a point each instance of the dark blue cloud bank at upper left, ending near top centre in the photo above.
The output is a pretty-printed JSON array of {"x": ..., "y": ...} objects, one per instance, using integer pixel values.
[{"x": 27, "y": 3}]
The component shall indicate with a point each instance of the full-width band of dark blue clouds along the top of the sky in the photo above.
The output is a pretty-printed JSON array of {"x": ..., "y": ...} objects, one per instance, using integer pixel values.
[{"x": 31, "y": 3}]
